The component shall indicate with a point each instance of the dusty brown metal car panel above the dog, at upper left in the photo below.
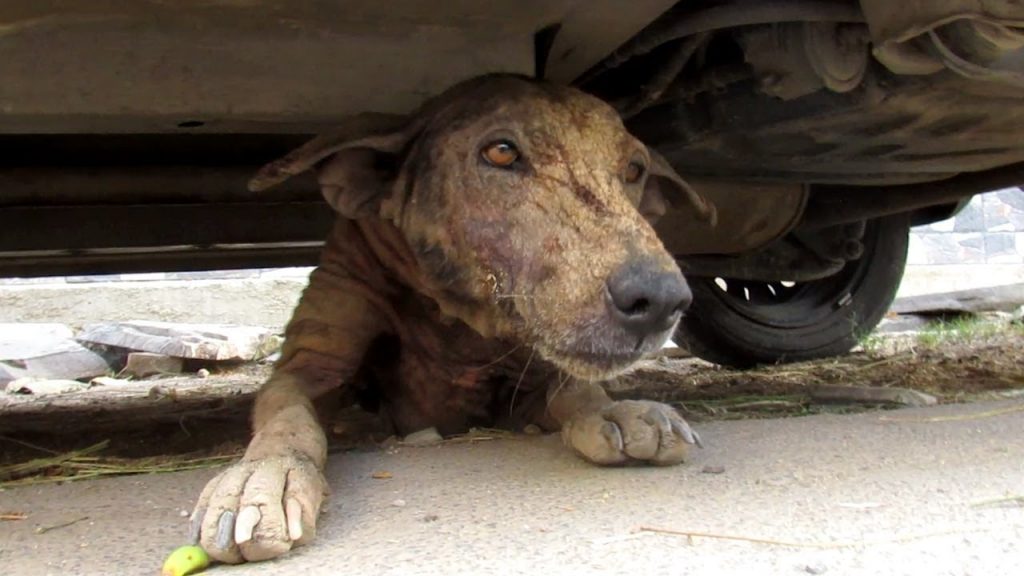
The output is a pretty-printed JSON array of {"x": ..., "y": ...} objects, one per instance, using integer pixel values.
[{"x": 246, "y": 66}]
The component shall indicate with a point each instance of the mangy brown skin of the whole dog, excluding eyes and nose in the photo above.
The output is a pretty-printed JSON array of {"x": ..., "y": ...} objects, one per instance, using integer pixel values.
[{"x": 458, "y": 295}]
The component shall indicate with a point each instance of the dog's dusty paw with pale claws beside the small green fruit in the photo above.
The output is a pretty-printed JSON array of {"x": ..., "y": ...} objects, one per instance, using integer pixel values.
[{"x": 259, "y": 510}]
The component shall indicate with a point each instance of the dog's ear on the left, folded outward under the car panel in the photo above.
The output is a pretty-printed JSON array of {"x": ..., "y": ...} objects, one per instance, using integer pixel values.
[{"x": 356, "y": 163}]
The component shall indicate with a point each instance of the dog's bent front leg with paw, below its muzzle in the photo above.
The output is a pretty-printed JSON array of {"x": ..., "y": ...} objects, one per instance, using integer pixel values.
[{"x": 607, "y": 432}]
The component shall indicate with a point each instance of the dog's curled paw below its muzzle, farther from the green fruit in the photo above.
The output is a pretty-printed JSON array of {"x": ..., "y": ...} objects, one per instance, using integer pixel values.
[{"x": 631, "y": 432}]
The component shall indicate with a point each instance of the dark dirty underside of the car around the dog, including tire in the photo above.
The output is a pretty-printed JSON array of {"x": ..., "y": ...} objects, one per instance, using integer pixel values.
[{"x": 821, "y": 130}]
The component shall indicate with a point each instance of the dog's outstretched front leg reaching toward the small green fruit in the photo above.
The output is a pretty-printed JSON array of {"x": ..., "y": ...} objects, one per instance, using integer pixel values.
[{"x": 269, "y": 503}]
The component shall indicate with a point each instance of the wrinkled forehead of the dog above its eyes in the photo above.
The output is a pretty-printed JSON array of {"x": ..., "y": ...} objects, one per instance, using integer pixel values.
[{"x": 539, "y": 113}]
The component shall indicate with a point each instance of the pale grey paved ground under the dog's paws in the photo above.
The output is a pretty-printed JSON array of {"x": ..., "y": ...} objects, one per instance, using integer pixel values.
[{"x": 901, "y": 486}]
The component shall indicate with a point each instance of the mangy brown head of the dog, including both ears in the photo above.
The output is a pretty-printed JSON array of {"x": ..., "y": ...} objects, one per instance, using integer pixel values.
[{"x": 528, "y": 209}]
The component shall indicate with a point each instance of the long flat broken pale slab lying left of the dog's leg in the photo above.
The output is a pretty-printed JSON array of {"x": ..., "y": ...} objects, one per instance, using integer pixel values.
[{"x": 200, "y": 342}]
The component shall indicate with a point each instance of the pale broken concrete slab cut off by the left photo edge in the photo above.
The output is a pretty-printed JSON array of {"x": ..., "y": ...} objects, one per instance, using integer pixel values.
[{"x": 46, "y": 351}]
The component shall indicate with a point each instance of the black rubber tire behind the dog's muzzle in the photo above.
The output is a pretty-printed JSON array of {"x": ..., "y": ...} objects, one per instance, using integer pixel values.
[{"x": 808, "y": 323}]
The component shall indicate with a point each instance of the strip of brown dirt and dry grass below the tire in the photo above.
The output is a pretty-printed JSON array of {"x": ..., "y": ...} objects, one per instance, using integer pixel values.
[{"x": 950, "y": 365}]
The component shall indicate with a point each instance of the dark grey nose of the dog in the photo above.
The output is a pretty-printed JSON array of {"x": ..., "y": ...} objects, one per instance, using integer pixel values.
[{"x": 646, "y": 299}]
